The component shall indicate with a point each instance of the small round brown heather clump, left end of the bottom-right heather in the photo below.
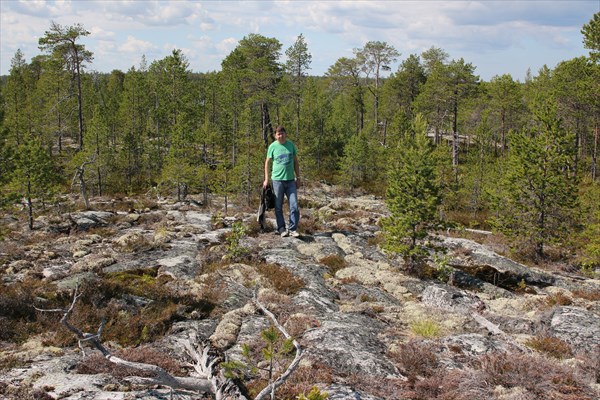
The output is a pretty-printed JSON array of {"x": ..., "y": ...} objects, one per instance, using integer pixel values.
[{"x": 415, "y": 359}]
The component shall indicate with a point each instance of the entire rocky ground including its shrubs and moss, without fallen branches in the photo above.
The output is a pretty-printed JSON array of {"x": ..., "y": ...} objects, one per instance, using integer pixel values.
[{"x": 472, "y": 325}]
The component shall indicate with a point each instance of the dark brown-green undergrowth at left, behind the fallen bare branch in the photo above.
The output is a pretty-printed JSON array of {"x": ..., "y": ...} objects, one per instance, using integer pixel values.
[{"x": 137, "y": 307}]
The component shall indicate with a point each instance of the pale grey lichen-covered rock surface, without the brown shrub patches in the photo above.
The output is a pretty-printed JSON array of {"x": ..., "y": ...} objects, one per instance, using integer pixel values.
[{"x": 353, "y": 320}]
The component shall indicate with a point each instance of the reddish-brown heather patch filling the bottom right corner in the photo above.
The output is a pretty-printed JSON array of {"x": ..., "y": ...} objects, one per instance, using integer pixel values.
[{"x": 491, "y": 376}]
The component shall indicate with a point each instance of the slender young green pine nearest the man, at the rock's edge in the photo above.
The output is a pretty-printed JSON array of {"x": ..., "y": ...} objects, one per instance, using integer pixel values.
[{"x": 413, "y": 195}]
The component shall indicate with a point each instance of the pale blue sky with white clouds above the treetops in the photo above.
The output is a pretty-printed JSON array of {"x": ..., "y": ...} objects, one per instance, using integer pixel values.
[{"x": 496, "y": 37}]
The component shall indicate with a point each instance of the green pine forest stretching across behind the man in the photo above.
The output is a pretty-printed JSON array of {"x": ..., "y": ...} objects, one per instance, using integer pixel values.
[{"x": 444, "y": 147}]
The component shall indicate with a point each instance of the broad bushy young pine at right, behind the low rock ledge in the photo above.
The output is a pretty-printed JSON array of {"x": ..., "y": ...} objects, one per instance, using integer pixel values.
[{"x": 538, "y": 203}]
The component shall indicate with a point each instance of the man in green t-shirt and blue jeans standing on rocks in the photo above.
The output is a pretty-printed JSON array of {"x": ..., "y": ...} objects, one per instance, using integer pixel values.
[{"x": 286, "y": 179}]
